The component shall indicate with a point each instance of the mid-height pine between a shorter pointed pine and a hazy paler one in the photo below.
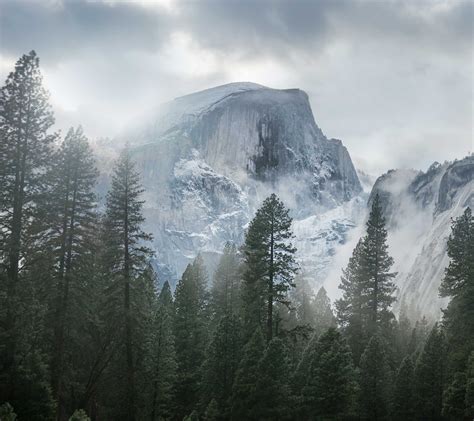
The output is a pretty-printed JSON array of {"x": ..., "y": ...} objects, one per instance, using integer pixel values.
[{"x": 190, "y": 331}]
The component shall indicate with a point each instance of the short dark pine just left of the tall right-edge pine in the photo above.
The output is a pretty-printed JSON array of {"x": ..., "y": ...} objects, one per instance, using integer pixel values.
[{"x": 429, "y": 376}]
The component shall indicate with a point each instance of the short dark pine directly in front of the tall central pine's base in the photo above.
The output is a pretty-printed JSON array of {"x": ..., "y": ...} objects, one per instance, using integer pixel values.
[{"x": 273, "y": 389}]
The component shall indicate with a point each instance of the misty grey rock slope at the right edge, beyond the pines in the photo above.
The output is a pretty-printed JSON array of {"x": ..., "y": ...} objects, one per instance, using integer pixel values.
[{"x": 419, "y": 208}]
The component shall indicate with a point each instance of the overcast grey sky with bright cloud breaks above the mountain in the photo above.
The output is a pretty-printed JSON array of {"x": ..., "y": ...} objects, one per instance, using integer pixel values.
[{"x": 392, "y": 79}]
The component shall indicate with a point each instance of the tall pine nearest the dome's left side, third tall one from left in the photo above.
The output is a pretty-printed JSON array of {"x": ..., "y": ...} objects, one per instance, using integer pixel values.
[{"x": 126, "y": 259}]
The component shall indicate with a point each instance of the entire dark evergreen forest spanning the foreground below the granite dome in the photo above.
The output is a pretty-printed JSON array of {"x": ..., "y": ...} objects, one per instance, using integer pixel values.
[{"x": 86, "y": 333}]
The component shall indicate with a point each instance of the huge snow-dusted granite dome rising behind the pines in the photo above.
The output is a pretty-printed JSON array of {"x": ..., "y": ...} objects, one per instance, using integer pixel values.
[{"x": 210, "y": 158}]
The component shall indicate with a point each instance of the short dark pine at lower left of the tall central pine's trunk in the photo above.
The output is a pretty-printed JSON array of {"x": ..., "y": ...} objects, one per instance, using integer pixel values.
[{"x": 244, "y": 391}]
